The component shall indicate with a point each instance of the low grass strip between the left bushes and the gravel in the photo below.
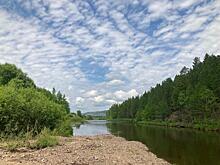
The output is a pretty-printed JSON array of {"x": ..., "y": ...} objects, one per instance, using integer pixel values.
[{"x": 46, "y": 138}]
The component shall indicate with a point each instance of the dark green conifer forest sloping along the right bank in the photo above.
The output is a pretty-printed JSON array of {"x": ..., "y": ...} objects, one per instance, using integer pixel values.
[{"x": 192, "y": 99}]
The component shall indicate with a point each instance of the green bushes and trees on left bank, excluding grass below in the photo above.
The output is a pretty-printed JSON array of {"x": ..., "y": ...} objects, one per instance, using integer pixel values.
[{"x": 24, "y": 107}]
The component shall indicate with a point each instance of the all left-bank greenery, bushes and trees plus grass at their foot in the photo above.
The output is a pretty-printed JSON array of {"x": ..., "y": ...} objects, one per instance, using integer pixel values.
[{"x": 31, "y": 116}]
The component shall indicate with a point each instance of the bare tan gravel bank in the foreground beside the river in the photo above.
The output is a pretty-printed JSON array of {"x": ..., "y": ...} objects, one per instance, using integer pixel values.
[{"x": 94, "y": 150}]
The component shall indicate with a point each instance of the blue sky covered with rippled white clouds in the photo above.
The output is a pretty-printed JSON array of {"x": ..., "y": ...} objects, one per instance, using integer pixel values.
[{"x": 101, "y": 52}]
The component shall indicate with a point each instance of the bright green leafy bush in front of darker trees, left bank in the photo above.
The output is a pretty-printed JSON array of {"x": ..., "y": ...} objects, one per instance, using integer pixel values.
[{"x": 23, "y": 110}]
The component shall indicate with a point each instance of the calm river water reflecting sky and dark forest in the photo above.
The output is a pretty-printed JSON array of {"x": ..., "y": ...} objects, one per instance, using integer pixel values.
[{"x": 179, "y": 146}]
